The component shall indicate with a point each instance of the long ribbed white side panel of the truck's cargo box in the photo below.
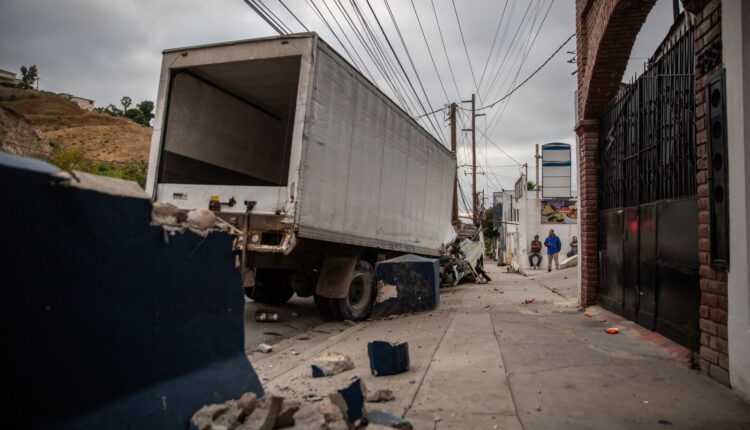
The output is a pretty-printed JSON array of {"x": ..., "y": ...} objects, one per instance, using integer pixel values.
[{"x": 371, "y": 176}]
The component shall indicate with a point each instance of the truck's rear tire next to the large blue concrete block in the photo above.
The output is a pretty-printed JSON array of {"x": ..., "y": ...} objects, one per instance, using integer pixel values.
[{"x": 358, "y": 303}]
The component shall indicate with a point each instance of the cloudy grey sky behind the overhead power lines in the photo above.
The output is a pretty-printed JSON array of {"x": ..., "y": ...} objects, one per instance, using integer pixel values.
[{"x": 103, "y": 50}]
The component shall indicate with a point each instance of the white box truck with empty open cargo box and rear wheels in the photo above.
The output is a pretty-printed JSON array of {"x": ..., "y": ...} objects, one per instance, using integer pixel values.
[{"x": 320, "y": 174}]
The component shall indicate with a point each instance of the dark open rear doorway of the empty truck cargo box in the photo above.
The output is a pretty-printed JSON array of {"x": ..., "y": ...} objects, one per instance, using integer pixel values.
[{"x": 230, "y": 123}]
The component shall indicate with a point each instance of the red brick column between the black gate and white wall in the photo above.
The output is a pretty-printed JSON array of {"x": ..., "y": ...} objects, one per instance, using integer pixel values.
[{"x": 713, "y": 284}]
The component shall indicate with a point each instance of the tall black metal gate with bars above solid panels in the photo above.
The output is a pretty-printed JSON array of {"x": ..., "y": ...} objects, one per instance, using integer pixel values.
[{"x": 648, "y": 213}]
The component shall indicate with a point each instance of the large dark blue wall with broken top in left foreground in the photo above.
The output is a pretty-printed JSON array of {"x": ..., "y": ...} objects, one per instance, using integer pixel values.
[{"x": 108, "y": 323}]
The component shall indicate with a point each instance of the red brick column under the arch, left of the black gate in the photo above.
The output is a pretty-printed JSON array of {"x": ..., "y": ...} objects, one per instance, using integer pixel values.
[{"x": 588, "y": 159}]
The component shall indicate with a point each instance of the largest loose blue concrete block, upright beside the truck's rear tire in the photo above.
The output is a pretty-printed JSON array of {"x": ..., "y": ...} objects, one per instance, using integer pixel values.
[{"x": 416, "y": 281}]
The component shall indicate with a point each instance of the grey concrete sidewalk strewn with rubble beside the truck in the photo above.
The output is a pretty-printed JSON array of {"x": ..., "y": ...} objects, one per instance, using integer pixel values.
[{"x": 515, "y": 353}]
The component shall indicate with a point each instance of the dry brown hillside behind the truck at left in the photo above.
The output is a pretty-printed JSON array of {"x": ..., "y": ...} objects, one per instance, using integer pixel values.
[{"x": 36, "y": 119}]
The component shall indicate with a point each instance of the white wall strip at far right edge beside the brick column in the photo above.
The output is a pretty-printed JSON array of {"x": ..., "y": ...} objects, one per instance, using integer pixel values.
[{"x": 736, "y": 46}]
